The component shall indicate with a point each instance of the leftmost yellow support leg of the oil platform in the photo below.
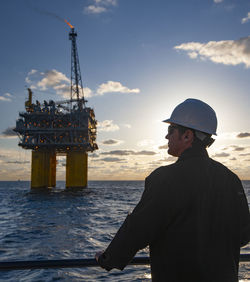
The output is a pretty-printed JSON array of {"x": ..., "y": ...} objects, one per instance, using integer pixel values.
[{"x": 39, "y": 169}]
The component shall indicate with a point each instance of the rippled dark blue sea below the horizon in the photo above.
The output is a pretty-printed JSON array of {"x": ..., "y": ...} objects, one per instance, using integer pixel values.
[{"x": 64, "y": 224}]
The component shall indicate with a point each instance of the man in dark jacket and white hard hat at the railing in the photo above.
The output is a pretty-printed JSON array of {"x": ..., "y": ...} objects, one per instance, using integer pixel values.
[{"x": 193, "y": 214}]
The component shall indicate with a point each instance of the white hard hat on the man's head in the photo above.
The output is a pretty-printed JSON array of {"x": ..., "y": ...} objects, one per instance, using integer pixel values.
[{"x": 195, "y": 114}]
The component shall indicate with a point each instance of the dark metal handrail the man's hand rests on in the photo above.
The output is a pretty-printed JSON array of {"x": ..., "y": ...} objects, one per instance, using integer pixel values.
[{"x": 74, "y": 263}]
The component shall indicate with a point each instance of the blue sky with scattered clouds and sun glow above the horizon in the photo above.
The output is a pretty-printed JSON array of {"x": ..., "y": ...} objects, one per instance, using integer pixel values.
[{"x": 139, "y": 59}]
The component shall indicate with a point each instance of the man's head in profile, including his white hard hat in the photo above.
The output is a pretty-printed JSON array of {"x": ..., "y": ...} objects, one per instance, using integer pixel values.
[{"x": 193, "y": 121}]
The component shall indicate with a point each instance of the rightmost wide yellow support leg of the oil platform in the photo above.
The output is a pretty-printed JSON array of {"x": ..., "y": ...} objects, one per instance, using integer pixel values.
[{"x": 76, "y": 169}]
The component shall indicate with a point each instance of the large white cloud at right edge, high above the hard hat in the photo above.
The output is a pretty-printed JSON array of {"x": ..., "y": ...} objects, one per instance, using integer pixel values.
[{"x": 227, "y": 52}]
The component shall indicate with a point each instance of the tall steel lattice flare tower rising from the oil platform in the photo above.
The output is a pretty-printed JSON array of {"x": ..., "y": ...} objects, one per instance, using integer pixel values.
[{"x": 76, "y": 90}]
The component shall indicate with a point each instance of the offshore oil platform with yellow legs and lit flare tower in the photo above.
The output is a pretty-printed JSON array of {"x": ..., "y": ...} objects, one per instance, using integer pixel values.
[{"x": 59, "y": 128}]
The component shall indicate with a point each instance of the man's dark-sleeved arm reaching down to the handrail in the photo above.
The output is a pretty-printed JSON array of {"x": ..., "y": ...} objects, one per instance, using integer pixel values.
[{"x": 139, "y": 229}]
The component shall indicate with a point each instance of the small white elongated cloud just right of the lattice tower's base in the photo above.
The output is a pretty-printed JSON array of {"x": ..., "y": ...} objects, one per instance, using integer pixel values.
[{"x": 114, "y": 86}]
